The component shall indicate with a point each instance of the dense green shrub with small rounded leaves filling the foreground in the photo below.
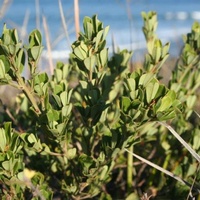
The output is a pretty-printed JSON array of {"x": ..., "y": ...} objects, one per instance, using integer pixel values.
[{"x": 69, "y": 130}]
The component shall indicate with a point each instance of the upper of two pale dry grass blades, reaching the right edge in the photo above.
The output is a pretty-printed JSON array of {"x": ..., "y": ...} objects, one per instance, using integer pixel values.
[{"x": 178, "y": 137}]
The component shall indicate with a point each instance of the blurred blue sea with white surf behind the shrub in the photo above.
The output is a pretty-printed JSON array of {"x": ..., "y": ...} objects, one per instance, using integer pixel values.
[{"x": 175, "y": 19}]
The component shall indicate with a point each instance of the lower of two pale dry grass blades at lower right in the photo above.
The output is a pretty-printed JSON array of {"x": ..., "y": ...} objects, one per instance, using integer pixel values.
[{"x": 162, "y": 170}]
